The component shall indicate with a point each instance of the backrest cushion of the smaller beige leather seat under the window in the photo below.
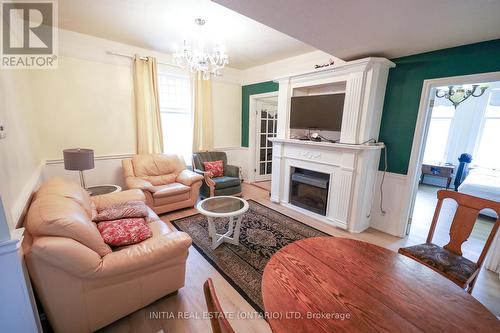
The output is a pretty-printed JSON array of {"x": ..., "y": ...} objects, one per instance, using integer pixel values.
[{"x": 148, "y": 165}]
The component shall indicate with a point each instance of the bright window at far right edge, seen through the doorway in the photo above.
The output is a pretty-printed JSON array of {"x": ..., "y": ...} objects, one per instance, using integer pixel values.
[{"x": 489, "y": 136}]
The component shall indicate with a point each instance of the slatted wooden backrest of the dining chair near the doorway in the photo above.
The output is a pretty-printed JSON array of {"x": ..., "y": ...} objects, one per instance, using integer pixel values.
[{"x": 464, "y": 220}]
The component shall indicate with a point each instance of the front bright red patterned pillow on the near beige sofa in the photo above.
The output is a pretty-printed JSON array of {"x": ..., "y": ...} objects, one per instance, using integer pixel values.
[{"x": 124, "y": 231}]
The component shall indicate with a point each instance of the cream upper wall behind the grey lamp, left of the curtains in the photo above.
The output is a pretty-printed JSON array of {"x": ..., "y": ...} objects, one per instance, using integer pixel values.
[{"x": 86, "y": 104}]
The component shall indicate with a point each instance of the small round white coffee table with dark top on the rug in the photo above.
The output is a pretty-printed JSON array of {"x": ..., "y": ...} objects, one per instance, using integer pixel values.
[{"x": 224, "y": 206}]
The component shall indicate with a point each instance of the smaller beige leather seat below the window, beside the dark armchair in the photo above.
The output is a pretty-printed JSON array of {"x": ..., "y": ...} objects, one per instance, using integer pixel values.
[{"x": 164, "y": 179}]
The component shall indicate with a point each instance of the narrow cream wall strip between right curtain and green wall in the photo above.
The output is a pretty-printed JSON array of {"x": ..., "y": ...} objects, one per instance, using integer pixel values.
[{"x": 226, "y": 104}]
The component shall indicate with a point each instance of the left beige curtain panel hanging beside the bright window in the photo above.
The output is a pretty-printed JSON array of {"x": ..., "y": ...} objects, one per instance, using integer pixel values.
[{"x": 148, "y": 120}]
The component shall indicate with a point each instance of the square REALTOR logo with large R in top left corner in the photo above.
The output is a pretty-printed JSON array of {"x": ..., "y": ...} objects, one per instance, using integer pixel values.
[{"x": 29, "y": 34}]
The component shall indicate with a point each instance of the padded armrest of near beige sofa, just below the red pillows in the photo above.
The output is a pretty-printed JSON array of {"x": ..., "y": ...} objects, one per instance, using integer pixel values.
[{"x": 156, "y": 250}]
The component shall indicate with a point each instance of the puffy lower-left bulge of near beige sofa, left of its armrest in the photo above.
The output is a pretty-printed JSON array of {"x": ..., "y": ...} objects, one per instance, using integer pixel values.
[{"x": 65, "y": 254}]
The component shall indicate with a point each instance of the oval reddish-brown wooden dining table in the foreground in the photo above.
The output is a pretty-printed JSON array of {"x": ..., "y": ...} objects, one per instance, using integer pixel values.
[{"x": 333, "y": 284}]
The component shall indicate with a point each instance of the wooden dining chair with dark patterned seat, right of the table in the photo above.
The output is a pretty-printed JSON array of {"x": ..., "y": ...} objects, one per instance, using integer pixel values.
[{"x": 448, "y": 260}]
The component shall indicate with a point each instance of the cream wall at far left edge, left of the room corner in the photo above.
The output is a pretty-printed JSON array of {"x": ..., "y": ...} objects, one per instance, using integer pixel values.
[{"x": 20, "y": 155}]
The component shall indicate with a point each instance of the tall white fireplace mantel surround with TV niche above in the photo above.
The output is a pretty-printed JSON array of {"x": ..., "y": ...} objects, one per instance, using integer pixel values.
[{"x": 351, "y": 164}]
